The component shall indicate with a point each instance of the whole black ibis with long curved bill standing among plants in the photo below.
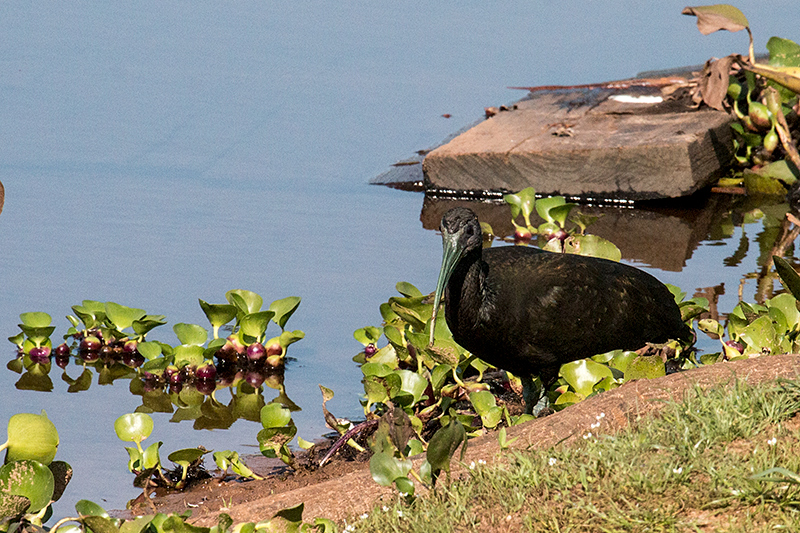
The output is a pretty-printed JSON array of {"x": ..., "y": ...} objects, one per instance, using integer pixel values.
[{"x": 529, "y": 311}]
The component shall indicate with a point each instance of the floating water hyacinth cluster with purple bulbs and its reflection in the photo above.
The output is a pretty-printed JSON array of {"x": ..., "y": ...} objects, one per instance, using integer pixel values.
[{"x": 111, "y": 340}]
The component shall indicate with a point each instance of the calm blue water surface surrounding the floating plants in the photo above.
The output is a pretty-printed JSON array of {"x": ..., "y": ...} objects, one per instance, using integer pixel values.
[{"x": 155, "y": 153}]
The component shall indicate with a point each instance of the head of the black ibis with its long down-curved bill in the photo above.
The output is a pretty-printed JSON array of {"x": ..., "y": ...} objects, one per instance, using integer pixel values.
[{"x": 461, "y": 233}]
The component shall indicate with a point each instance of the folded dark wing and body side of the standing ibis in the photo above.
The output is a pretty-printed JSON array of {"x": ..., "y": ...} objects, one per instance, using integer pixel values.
[{"x": 545, "y": 309}]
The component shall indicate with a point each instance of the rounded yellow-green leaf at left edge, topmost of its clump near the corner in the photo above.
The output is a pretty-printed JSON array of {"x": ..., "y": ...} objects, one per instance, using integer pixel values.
[{"x": 32, "y": 437}]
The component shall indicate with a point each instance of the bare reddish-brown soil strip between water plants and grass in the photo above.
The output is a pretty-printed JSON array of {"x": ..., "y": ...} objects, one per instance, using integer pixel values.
[{"x": 344, "y": 488}]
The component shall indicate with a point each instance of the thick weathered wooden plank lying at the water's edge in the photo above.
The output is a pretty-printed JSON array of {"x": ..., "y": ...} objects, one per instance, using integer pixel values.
[{"x": 583, "y": 144}]
